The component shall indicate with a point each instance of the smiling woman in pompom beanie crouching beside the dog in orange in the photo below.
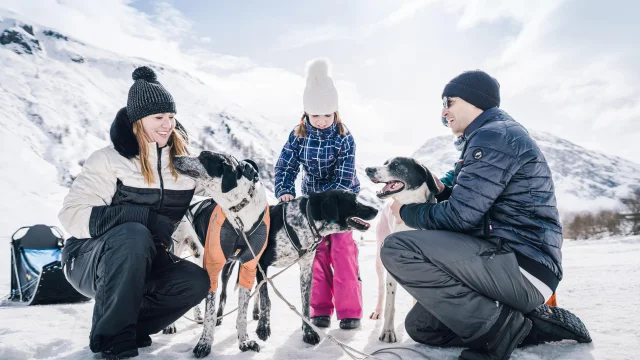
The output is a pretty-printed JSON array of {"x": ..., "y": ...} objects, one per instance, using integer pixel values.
[{"x": 121, "y": 211}]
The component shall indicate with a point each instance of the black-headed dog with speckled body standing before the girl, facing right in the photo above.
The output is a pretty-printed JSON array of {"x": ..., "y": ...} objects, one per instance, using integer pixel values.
[{"x": 296, "y": 230}]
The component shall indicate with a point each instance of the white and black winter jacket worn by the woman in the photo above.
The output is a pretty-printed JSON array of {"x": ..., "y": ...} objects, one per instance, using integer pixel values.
[{"x": 110, "y": 188}]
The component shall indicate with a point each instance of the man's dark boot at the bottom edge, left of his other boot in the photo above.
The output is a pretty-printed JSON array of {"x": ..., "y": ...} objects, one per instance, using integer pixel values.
[{"x": 507, "y": 337}]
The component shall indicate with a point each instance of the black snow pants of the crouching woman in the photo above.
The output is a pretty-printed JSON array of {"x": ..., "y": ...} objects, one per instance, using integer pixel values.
[{"x": 138, "y": 289}]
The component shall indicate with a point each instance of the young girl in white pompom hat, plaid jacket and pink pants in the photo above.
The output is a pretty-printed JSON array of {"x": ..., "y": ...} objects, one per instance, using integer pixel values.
[{"x": 326, "y": 150}]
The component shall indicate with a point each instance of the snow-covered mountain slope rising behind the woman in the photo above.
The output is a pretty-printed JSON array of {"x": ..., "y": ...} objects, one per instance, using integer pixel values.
[{"x": 59, "y": 97}]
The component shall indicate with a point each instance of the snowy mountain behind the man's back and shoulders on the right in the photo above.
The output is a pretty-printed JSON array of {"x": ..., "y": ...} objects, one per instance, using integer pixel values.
[{"x": 584, "y": 179}]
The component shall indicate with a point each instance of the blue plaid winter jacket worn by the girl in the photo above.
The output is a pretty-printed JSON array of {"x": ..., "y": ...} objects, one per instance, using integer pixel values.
[{"x": 328, "y": 160}]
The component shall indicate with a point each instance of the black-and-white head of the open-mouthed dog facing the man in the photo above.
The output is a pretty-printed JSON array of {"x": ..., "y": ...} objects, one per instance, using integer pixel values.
[{"x": 402, "y": 177}]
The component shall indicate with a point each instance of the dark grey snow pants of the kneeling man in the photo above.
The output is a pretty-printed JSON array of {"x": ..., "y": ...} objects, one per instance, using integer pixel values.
[{"x": 461, "y": 284}]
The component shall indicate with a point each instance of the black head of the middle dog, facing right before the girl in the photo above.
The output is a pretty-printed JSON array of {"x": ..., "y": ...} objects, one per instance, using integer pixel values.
[{"x": 342, "y": 209}]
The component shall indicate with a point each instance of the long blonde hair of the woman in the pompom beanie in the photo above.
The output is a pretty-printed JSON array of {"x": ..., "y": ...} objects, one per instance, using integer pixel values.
[{"x": 177, "y": 141}]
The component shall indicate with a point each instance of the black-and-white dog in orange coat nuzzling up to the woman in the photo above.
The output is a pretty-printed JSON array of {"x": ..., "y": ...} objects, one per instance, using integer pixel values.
[{"x": 220, "y": 176}]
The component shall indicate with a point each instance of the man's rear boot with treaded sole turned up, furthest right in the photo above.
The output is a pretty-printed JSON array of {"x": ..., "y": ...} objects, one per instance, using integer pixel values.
[{"x": 555, "y": 324}]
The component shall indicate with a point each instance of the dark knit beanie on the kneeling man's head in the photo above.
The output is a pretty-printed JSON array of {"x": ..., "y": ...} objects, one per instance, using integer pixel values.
[{"x": 475, "y": 87}]
